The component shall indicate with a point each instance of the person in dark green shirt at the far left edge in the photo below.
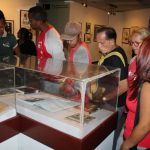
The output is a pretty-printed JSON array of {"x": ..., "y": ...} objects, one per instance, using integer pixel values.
[{"x": 8, "y": 43}]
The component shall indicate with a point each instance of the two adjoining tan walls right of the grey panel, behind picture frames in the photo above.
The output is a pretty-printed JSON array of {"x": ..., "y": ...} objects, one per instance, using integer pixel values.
[{"x": 121, "y": 20}]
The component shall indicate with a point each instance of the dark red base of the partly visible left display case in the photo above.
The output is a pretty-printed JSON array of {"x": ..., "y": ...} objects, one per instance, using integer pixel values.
[{"x": 9, "y": 128}]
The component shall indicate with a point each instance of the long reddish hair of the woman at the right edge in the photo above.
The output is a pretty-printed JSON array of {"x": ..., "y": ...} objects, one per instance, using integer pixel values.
[{"x": 143, "y": 67}]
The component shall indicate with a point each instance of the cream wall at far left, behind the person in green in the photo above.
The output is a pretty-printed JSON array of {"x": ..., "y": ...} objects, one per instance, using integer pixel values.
[{"x": 11, "y": 10}]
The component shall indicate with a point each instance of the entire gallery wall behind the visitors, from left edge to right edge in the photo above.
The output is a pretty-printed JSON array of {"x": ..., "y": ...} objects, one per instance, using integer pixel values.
[{"x": 59, "y": 14}]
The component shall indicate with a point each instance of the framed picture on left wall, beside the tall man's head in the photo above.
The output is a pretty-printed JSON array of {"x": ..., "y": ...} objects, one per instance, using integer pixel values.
[{"x": 24, "y": 20}]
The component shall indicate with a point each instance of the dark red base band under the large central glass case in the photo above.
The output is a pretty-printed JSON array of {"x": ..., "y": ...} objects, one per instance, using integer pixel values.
[{"x": 59, "y": 140}]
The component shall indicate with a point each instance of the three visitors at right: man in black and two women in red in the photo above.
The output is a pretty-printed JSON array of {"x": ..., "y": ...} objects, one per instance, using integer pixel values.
[{"x": 134, "y": 86}]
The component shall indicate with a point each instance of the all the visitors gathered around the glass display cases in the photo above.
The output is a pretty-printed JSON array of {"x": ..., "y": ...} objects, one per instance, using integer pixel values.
[{"x": 134, "y": 85}]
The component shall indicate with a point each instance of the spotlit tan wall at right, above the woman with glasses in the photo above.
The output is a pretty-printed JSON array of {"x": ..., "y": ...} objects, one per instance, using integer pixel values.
[{"x": 129, "y": 19}]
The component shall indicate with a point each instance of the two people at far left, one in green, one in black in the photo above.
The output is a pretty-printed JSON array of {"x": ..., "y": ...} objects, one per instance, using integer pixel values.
[{"x": 10, "y": 47}]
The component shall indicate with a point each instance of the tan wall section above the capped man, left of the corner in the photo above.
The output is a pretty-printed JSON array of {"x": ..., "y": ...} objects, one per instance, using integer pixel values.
[{"x": 92, "y": 15}]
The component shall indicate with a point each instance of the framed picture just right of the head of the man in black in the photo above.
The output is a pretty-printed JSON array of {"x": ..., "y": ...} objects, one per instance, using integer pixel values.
[{"x": 125, "y": 35}]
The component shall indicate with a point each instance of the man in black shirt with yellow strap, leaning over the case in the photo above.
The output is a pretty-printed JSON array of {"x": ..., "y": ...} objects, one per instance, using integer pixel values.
[{"x": 114, "y": 56}]
